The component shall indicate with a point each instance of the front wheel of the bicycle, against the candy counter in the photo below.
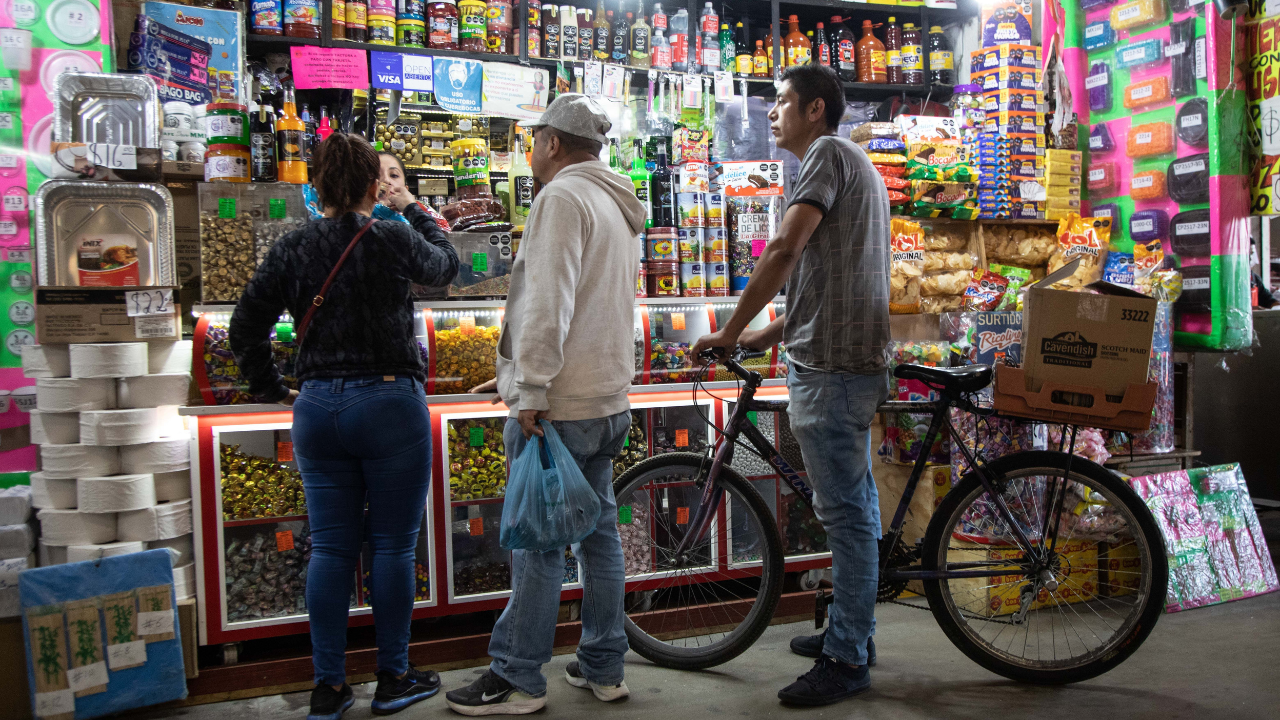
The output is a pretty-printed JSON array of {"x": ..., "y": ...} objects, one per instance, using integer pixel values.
[{"x": 710, "y": 607}]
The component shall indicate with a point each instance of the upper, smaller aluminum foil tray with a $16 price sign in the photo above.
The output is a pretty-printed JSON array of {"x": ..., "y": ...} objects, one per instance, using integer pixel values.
[{"x": 120, "y": 110}]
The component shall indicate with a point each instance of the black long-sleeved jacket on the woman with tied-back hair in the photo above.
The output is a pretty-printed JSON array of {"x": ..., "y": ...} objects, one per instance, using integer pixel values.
[{"x": 365, "y": 326}]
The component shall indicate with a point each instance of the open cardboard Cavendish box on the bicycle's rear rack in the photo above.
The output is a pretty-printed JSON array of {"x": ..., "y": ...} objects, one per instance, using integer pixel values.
[{"x": 1085, "y": 357}]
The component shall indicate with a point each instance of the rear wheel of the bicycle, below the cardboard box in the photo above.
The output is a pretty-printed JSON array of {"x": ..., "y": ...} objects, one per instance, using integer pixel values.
[{"x": 1086, "y": 609}]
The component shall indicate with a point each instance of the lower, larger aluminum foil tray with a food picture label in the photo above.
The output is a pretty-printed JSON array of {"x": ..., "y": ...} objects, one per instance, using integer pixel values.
[{"x": 104, "y": 235}]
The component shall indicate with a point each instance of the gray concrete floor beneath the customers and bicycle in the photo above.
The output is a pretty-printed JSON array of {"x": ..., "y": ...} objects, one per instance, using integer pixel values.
[{"x": 1210, "y": 663}]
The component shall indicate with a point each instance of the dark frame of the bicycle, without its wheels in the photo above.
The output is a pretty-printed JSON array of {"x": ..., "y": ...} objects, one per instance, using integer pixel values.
[{"x": 739, "y": 426}]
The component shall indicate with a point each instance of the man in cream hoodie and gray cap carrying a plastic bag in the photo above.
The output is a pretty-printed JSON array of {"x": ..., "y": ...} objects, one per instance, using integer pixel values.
[{"x": 566, "y": 356}]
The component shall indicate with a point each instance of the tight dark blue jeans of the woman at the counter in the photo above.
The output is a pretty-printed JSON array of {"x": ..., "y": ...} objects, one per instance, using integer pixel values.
[{"x": 363, "y": 441}]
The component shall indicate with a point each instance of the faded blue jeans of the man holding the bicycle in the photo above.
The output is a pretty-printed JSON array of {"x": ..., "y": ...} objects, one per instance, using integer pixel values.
[{"x": 831, "y": 417}]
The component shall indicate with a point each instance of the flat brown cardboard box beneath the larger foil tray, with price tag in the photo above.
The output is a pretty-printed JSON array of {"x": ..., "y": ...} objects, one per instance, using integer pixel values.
[{"x": 99, "y": 315}]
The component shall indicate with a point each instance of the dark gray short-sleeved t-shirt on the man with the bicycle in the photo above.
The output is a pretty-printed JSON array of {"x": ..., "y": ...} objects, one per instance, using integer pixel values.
[{"x": 838, "y": 297}]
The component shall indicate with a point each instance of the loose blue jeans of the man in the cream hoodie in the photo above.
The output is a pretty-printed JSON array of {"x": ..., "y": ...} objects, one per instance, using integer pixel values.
[{"x": 524, "y": 636}]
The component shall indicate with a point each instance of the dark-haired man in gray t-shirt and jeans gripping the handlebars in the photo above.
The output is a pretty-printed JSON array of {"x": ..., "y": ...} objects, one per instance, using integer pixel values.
[{"x": 833, "y": 248}]
